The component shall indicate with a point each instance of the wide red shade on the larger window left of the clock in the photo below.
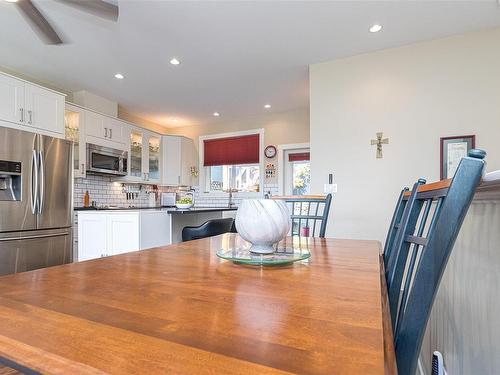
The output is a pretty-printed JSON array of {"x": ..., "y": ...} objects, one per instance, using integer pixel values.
[{"x": 231, "y": 150}]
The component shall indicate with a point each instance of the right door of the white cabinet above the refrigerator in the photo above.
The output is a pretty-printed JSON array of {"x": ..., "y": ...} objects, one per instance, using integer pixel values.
[{"x": 44, "y": 109}]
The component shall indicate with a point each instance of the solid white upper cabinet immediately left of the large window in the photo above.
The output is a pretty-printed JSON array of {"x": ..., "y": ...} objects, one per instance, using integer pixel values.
[{"x": 179, "y": 155}]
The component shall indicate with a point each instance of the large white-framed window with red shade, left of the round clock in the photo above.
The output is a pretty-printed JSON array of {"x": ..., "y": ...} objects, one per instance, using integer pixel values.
[{"x": 231, "y": 161}]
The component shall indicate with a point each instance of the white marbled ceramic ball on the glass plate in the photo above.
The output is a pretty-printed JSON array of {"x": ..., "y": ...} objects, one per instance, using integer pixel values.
[{"x": 263, "y": 223}]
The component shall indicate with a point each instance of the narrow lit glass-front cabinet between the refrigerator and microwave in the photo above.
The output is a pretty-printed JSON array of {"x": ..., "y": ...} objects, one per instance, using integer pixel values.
[{"x": 74, "y": 120}]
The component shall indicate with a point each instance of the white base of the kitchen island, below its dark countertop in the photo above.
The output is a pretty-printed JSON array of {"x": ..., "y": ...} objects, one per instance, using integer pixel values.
[{"x": 105, "y": 233}]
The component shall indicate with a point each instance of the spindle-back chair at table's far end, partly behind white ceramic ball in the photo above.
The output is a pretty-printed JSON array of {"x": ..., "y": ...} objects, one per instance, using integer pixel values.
[{"x": 308, "y": 212}]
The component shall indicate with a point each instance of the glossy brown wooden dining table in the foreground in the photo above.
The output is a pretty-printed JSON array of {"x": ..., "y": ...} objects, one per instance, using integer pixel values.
[{"x": 180, "y": 309}]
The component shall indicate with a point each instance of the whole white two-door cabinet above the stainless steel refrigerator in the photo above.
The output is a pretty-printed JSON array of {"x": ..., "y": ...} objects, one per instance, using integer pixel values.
[{"x": 31, "y": 107}]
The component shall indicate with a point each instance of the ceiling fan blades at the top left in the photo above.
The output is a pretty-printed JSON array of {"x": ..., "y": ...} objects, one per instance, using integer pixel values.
[{"x": 43, "y": 28}]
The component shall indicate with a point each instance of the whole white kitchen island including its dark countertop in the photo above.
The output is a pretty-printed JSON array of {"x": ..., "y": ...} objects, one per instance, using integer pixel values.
[{"x": 105, "y": 231}]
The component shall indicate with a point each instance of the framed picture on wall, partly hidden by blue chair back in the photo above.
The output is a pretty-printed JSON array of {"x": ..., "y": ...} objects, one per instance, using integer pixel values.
[{"x": 453, "y": 149}]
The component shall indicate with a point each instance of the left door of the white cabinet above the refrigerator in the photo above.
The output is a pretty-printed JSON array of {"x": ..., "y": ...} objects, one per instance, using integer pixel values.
[{"x": 11, "y": 99}]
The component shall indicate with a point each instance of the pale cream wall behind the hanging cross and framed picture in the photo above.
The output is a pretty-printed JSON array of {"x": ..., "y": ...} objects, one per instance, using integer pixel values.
[{"x": 415, "y": 94}]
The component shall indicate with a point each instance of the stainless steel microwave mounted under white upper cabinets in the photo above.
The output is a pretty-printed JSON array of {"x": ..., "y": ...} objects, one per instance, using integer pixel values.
[{"x": 106, "y": 160}]
